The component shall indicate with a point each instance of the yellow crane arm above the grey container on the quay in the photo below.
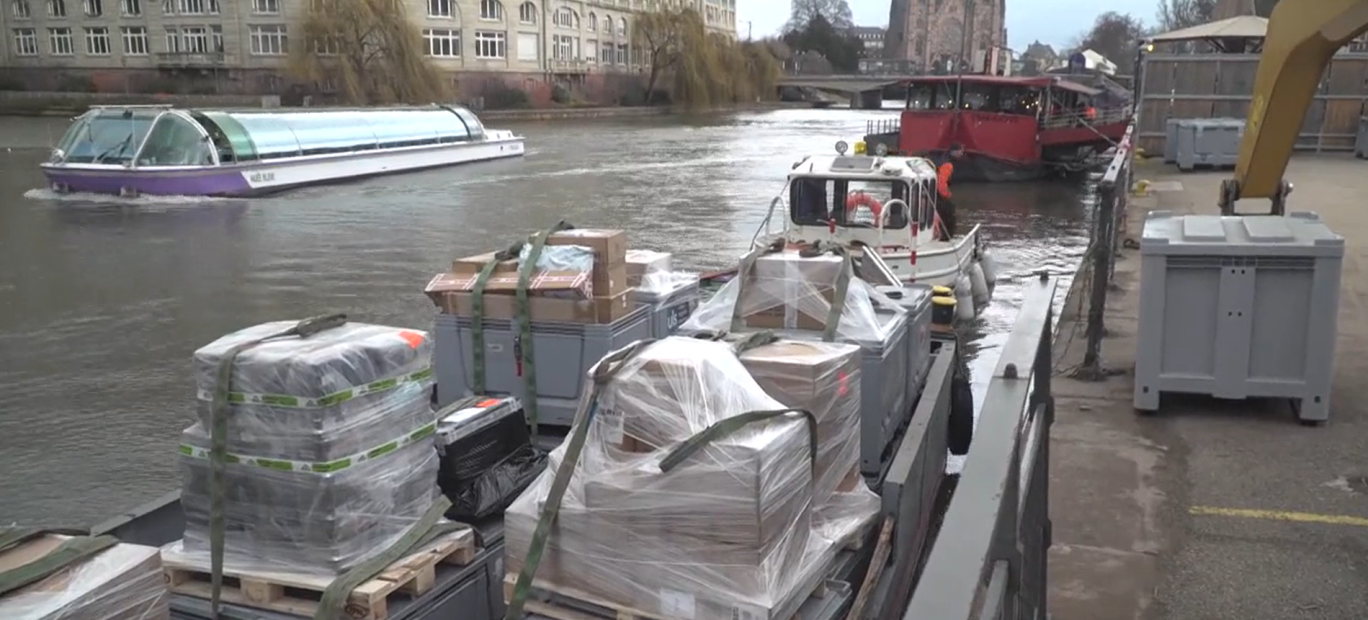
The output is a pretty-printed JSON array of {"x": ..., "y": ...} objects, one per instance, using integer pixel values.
[{"x": 1303, "y": 36}]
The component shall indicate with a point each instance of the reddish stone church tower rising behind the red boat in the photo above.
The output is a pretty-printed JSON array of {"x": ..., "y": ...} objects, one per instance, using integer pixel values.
[{"x": 946, "y": 34}]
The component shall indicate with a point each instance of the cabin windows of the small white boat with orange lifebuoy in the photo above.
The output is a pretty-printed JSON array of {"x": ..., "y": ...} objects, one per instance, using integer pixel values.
[{"x": 823, "y": 202}]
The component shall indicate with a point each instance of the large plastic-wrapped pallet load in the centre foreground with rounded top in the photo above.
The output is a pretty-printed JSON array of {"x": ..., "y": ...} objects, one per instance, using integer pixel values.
[{"x": 727, "y": 534}]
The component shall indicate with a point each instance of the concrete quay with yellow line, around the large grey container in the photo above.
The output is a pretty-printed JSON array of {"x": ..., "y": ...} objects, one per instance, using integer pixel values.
[{"x": 1214, "y": 510}]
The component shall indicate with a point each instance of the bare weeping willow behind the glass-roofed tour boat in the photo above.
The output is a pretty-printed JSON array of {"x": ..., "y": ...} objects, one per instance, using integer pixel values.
[{"x": 373, "y": 51}]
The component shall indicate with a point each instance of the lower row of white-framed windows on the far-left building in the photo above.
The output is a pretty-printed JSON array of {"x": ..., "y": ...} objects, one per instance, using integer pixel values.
[{"x": 269, "y": 40}]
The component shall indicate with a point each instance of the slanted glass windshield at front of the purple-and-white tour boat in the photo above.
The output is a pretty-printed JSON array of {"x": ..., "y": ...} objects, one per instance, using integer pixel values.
[{"x": 107, "y": 136}]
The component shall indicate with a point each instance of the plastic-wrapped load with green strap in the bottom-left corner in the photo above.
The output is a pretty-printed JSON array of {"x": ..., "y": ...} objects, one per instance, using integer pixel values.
[{"x": 122, "y": 582}]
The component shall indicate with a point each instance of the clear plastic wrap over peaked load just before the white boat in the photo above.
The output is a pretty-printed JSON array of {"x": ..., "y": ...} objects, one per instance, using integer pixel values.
[{"x": 789, "y": 291}]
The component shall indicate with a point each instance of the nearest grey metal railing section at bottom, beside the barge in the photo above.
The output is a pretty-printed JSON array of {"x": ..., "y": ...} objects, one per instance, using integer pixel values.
[{"x": 990, "y": 559}]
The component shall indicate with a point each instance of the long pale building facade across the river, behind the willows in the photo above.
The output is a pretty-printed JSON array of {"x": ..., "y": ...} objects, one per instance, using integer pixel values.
[{"x": 243, "y": 46}]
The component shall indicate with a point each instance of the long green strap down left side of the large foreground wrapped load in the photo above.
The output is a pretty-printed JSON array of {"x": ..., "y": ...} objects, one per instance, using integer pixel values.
[{"x": 601, "y": 374}]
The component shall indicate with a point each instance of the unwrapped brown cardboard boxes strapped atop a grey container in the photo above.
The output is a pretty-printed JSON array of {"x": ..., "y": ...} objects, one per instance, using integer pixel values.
[{"x": 594, "y": 291}]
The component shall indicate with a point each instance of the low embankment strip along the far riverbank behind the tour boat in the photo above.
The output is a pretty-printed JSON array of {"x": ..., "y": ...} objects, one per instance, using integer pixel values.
[{"x": 25, "y": 103}]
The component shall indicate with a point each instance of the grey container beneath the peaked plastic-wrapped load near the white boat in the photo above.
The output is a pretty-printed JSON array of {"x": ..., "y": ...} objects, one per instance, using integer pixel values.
[{"x": 883, "y": 387}]
